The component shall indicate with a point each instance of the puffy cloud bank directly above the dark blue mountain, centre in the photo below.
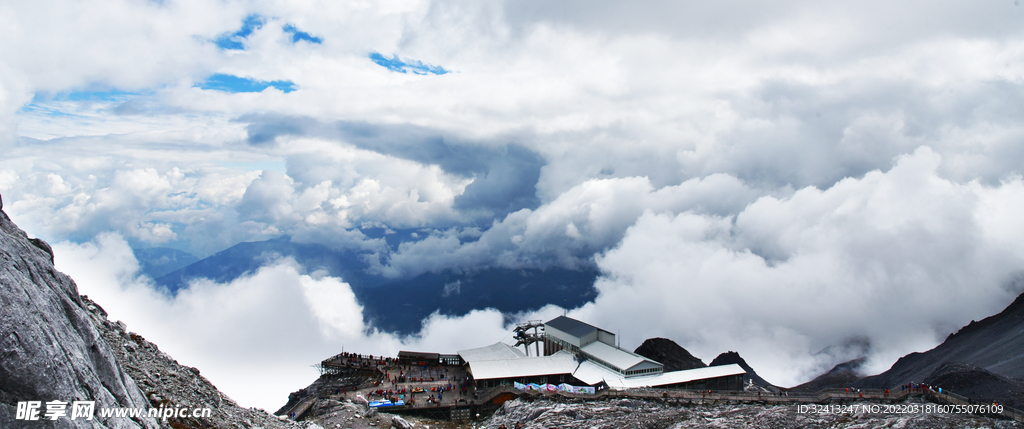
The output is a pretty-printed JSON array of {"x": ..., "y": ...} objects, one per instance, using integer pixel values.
[{"x": 600, "y": 211}]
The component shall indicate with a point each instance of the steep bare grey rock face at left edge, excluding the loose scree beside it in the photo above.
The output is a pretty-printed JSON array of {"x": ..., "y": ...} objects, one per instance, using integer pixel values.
[{"x": 50, "y": 349}]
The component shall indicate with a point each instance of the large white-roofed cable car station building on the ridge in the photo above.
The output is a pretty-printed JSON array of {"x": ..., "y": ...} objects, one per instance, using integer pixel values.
[{"x": 579, "y": 354}]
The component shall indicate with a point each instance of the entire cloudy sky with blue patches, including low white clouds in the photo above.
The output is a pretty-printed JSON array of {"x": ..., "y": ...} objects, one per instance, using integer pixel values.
[{"x": 802, "y": 183}]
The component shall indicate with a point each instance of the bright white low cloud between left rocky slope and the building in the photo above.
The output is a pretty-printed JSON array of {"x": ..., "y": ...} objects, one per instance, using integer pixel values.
[{"x": 275, "y": 323}]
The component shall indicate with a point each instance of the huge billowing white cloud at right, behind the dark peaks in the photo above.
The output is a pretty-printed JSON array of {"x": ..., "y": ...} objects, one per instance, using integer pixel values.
[{"x": 902, "y": 259}]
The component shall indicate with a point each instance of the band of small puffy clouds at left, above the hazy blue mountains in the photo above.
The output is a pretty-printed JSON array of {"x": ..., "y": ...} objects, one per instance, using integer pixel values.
[{"x": 208, "y": 205}]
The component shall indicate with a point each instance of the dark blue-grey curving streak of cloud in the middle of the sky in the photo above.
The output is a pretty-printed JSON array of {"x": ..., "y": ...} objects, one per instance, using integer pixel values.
[{"x": 505, "y": 177}]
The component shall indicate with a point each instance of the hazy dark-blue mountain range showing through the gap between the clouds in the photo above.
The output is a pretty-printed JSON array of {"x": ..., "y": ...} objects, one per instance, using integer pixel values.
[{"x": 400, "y": 306}]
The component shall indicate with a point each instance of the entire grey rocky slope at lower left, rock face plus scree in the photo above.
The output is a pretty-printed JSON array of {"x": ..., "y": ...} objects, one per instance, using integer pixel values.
[{"x": 57, "y": 346}]
